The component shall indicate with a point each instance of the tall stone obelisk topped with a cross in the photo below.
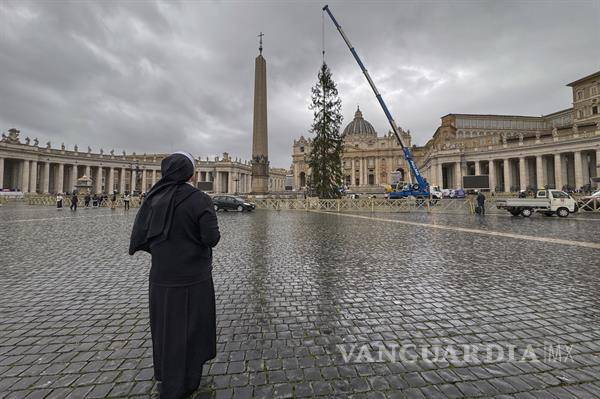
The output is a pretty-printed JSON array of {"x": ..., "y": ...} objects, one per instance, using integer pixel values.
[{"x": 260, "y": 153}]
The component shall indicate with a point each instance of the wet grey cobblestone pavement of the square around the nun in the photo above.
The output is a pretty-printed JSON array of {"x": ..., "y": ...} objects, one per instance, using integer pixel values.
[{"x": 296, "y": 293}]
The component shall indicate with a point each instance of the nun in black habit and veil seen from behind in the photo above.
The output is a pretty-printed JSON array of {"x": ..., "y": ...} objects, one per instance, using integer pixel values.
[{"x": 177, "y": 225}]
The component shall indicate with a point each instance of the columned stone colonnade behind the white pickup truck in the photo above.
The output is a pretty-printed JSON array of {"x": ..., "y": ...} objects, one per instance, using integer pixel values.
[{"x": 572, "y": 169}]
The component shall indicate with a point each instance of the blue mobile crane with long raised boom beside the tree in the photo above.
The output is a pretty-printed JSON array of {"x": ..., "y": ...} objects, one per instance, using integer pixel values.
[{"x": 419, "y": 189}]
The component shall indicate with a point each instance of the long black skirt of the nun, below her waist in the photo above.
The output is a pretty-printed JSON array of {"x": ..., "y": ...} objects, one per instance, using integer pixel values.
[{"x": 183, "y": 327}]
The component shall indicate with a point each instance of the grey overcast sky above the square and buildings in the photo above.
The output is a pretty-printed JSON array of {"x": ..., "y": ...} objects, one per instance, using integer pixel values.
[{"x": 158, "y": 76}]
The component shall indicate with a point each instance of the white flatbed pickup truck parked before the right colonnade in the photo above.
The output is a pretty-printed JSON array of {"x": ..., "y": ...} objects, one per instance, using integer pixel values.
[{"x": 548, "y": 202}]
